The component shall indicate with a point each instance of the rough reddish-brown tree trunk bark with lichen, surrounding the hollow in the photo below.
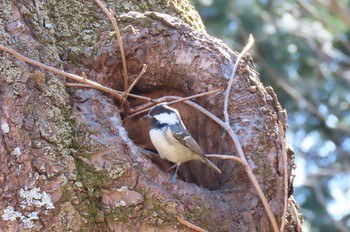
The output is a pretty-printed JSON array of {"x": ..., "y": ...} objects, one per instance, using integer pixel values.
[{"x": 70, "y": 163}]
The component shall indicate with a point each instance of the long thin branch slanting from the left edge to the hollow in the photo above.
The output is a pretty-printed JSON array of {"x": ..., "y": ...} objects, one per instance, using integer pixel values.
[{"x": 77, "y": 78}]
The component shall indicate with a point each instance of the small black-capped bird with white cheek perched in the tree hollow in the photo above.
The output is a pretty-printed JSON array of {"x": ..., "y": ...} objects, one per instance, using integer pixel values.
[{"x": 172, "y": 140}]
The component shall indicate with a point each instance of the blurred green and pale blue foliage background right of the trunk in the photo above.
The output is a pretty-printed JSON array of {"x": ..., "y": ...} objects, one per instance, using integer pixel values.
[{"x": 302, "y": 49}]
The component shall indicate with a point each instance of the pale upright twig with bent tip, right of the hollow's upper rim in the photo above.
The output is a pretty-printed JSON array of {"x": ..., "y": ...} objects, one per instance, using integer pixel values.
[{"x": 234, "y": 70}]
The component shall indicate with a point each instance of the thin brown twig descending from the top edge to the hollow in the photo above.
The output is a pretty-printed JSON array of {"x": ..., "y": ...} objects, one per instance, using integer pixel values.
[{"x": 110, "y": 14}]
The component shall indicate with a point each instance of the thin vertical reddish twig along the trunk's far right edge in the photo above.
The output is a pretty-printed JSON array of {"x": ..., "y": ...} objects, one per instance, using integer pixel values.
[{"x": 285, "y": 175}]
